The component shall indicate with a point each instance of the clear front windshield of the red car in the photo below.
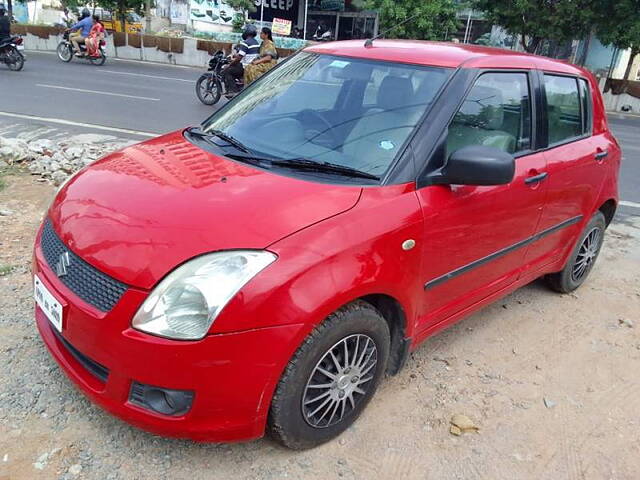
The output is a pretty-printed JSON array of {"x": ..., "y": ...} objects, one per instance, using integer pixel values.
[{"x": 350, "y": 112}]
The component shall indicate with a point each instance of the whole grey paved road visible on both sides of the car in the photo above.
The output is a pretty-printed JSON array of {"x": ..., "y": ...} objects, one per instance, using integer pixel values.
[{"x": 152, "y": 98}]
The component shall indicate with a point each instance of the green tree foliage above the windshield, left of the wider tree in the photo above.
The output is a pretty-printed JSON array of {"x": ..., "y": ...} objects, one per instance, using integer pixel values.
[{"x": 433, "y": 18}]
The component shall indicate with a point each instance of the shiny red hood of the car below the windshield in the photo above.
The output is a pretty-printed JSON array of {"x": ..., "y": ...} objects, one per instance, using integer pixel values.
[{"x": 138, "y": 213}]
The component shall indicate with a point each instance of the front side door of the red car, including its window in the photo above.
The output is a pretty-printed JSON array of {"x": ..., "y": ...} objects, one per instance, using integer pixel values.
[{"x": 476, "y": 236}]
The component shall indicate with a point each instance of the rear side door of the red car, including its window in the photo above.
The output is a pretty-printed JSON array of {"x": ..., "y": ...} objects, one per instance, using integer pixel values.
[{"x": 575, "y": 166}]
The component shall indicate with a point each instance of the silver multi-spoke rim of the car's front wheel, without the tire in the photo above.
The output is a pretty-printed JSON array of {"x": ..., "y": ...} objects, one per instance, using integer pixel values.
[{"x": 340, "y": 381}]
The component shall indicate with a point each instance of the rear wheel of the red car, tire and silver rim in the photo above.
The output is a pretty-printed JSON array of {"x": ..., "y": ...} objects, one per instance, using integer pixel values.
[{"x": 582, "y": 258}]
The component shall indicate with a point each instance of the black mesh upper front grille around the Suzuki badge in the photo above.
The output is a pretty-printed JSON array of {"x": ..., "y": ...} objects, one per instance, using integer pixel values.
[{"x": 88, "y": 283}]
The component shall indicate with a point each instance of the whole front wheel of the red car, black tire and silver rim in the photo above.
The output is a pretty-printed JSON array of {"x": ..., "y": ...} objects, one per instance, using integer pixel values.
[{"x": 331, "y": 378}]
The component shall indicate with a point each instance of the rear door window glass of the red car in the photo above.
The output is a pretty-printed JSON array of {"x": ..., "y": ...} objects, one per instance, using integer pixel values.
[{"x": 564, "y": 110}]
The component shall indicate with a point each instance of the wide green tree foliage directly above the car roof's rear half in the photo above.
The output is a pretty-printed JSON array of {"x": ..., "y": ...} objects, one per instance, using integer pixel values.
[{"x": 537, "y": 20}]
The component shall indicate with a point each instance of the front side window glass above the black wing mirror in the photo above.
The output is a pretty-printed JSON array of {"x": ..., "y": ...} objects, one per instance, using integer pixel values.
[{"x": 496, "y": 113}]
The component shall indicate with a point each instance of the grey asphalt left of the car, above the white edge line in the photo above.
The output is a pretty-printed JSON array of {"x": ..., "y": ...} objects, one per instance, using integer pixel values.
[{"x": 129, "y": 95}]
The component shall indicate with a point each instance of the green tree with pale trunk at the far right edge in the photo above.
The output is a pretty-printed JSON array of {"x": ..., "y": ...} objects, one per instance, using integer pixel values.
[{"x": 618, "y": 24}]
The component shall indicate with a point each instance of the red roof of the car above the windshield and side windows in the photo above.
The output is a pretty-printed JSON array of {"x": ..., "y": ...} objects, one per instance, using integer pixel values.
[{"x": 444, "y": 54}]
